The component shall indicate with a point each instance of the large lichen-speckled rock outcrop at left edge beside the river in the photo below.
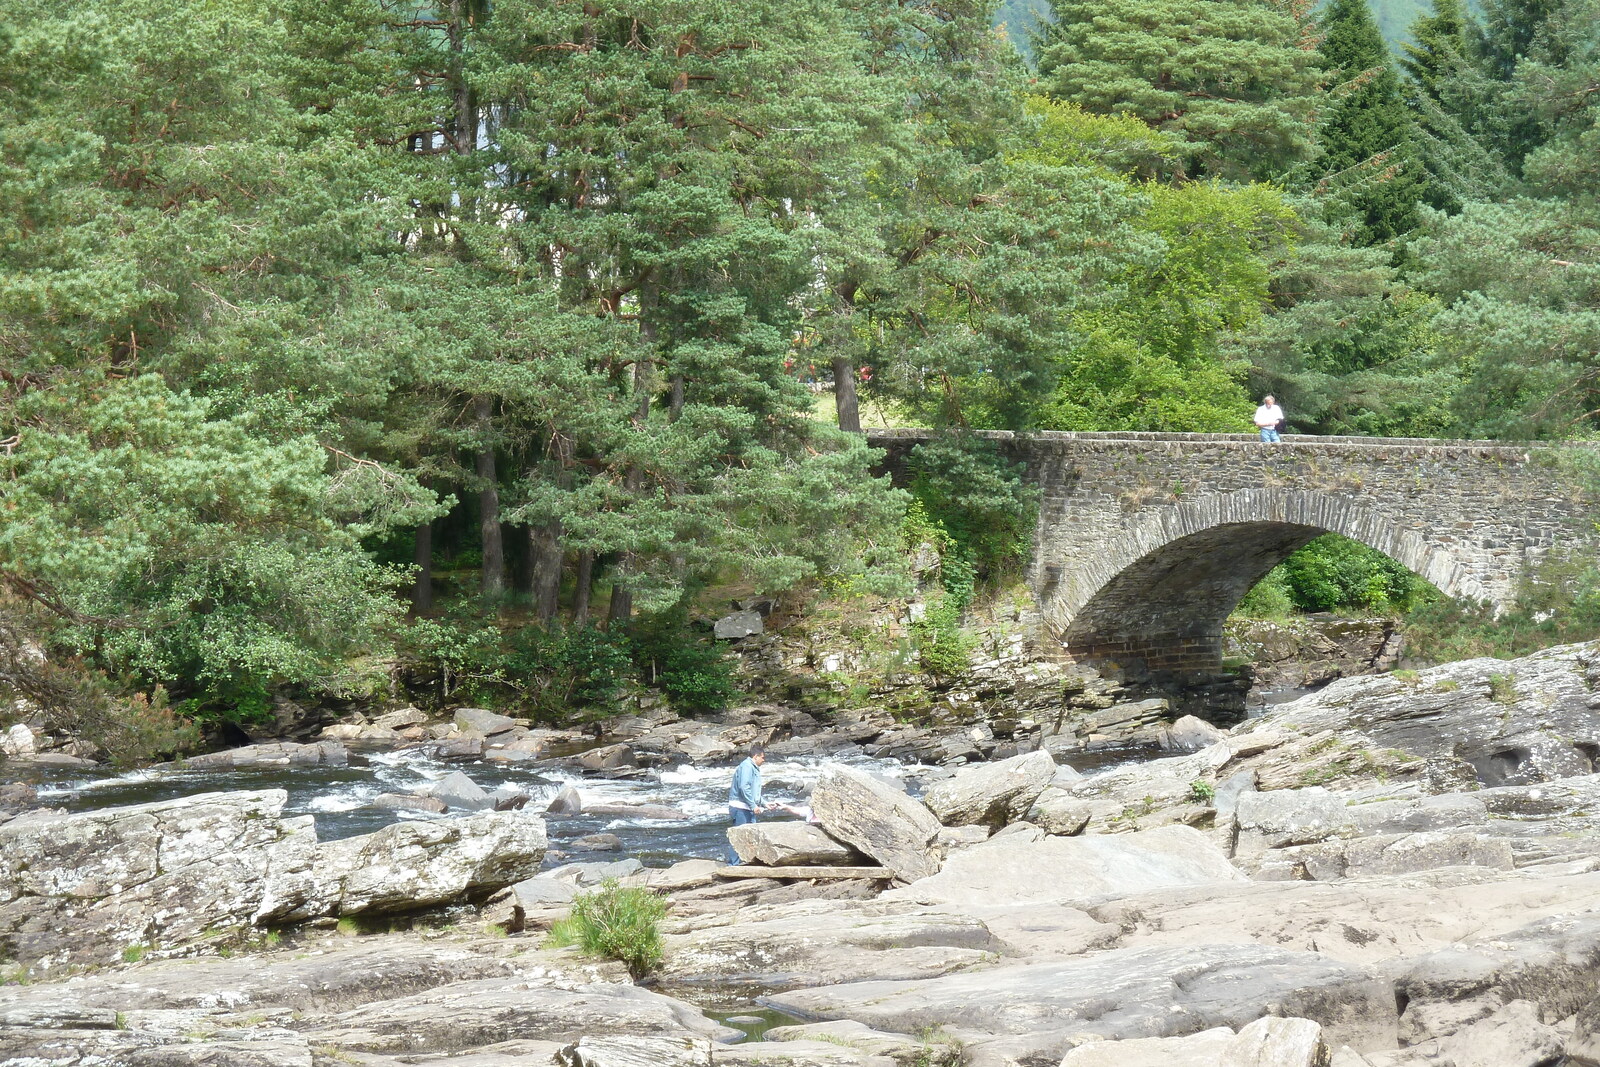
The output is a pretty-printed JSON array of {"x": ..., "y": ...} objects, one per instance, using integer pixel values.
[{"x": 81, "y": 889}]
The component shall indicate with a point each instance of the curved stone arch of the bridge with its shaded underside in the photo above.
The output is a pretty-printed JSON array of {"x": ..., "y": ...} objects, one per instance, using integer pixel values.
[{"x": 1158, "y": 596}]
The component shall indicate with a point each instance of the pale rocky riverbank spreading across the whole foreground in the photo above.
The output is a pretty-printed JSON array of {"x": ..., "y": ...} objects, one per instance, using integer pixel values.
[{"x": 1398, "y": 871}]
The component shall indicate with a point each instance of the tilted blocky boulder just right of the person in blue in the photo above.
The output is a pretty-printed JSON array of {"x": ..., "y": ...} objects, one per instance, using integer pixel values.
[{"x": 878, "y": 820}]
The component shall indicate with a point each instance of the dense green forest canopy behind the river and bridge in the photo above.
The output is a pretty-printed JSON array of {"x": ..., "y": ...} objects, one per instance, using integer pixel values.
[{"x": 300, "y": 302}]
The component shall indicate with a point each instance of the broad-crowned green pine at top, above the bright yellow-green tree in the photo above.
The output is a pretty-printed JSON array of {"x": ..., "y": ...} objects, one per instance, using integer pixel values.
[{"x": 1233, "y": 78}]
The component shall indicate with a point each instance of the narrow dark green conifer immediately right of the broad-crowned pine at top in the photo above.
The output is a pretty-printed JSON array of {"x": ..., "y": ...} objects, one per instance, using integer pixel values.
[{"x": 1367, "y": 164}]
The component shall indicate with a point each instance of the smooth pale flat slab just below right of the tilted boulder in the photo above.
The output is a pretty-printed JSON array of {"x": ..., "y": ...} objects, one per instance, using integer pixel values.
[{"x": 1034, "y": 868}]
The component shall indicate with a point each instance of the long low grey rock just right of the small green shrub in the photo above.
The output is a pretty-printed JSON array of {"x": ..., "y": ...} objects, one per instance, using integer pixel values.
[{"x": 812, "y": 943}]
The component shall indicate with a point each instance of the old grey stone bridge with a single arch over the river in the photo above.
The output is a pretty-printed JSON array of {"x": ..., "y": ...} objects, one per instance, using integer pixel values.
[{"x": 1148, "y": 541}]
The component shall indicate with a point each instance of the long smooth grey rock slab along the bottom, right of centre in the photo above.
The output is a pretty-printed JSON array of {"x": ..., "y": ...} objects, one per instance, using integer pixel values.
[{"x": 1121, "y": 994}]
